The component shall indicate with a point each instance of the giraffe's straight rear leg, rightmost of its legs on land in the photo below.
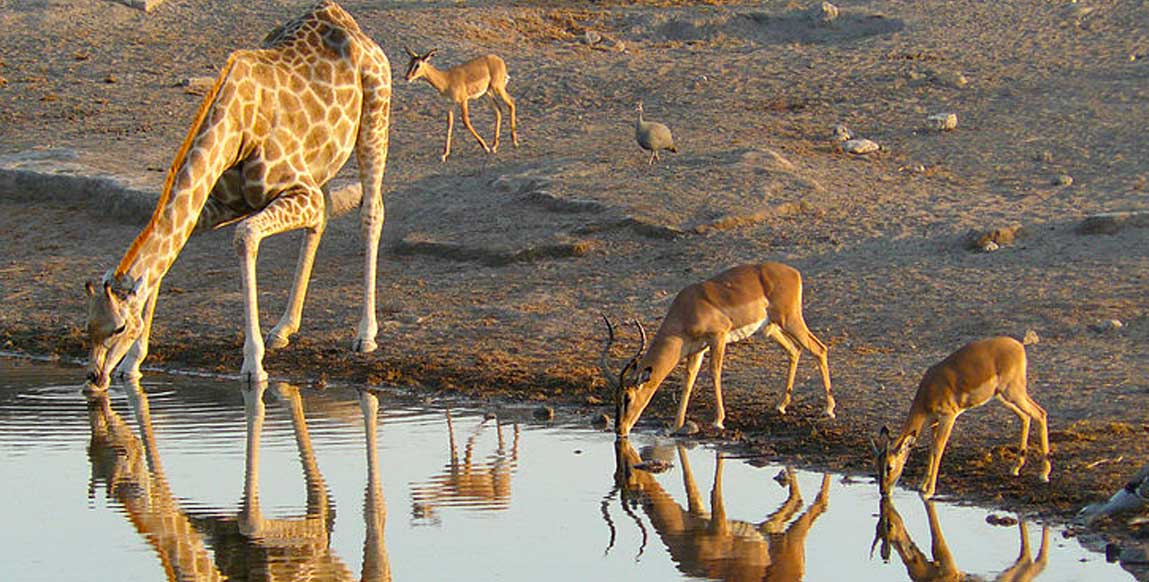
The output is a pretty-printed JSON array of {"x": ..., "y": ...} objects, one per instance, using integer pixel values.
[{"x": 372, "y": 153}]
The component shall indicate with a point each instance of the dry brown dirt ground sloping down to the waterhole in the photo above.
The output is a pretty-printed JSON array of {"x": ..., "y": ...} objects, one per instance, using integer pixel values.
[{"x": 497, "y": 268}]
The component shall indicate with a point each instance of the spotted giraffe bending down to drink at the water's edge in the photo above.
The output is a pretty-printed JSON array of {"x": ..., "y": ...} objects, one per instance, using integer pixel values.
[{"x": 276, "y": 127}]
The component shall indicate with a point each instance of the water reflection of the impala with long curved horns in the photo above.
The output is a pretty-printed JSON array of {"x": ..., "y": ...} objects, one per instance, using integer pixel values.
[{"x": 710, "y": 545}]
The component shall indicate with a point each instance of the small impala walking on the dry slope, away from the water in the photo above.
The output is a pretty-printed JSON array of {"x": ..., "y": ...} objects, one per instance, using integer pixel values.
[{"x": 473, "y": 80}]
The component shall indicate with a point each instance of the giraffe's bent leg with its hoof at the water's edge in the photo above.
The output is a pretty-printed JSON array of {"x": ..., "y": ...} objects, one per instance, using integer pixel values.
[{"x": 302, "y": 207}]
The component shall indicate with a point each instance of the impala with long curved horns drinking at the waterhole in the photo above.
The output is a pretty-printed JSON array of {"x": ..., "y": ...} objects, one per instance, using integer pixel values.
[{"x": 707, "y": 316}]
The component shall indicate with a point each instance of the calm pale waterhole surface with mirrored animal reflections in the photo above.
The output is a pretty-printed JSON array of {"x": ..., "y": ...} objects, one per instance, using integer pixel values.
[{"x": 202, "y": 479}]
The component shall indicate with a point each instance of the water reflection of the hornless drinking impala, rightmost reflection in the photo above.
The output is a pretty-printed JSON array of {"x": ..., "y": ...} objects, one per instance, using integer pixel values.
[{"x": 940, "y": 565}]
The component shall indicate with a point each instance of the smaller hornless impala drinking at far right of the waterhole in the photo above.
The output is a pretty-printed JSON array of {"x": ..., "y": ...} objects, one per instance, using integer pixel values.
[{"x": 965, "y": 381}]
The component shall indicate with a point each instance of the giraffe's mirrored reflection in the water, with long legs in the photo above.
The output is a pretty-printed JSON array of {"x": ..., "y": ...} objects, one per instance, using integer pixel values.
[{"x": 246, "y": 546}]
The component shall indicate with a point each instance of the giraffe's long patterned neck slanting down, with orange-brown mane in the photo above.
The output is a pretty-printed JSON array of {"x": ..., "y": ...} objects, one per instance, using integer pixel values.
[{"x": 211, "y": 148}]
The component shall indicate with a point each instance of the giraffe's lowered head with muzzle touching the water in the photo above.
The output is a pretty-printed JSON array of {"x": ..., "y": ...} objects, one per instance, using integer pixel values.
[{"x": 114, "y": 323}]
